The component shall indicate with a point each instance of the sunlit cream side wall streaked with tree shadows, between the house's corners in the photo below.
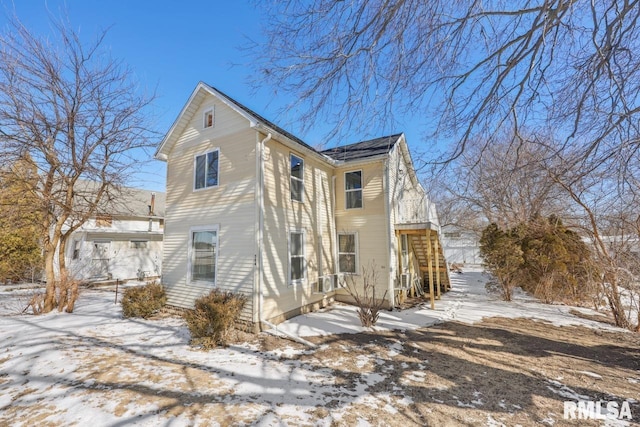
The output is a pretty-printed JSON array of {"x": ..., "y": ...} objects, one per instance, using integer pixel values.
[{"x": 313, "y": 216}]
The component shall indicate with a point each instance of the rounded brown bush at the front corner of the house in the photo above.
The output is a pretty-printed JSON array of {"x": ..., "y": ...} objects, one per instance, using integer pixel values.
[{"x": 214, "y": 317}]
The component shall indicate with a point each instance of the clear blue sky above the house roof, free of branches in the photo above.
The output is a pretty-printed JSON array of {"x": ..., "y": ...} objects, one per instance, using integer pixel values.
[{"x": 172, "y": 45}]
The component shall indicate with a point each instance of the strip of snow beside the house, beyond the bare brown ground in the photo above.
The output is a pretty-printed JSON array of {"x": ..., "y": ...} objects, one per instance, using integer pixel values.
[{"x": 467, "y": 302}]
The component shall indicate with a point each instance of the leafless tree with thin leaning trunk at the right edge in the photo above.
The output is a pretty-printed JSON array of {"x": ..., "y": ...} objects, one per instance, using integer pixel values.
[{"x": 607, "y": 206}]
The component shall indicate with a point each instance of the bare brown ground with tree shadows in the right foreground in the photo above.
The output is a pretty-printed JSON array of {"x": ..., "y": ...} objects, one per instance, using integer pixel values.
[{"x": 499, "y": 372}]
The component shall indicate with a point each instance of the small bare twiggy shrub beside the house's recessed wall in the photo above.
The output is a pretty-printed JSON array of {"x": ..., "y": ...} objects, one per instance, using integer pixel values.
[{"x": 368, "y": 304}]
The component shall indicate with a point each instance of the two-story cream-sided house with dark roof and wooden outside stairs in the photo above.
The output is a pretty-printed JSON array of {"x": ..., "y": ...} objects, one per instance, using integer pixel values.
[{"x": 253, "y": 209}]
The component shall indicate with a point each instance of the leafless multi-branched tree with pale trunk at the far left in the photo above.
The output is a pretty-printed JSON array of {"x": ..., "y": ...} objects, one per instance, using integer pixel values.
[{"x": 77, "y": 113}]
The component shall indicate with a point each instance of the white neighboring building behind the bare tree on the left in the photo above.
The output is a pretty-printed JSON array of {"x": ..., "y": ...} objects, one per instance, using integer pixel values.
[{"x": 124, "y": 244}]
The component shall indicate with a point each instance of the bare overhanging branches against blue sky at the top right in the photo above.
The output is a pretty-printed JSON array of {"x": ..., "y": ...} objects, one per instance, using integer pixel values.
[{"x": 473, "y": 69}]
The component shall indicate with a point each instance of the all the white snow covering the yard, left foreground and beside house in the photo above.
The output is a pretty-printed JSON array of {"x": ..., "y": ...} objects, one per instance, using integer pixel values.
[{"x": 54, "y": 367}]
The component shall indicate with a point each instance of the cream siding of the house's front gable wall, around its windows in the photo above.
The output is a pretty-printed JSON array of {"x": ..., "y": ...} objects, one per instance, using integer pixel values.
[{"x": 230, "y": 205}]
